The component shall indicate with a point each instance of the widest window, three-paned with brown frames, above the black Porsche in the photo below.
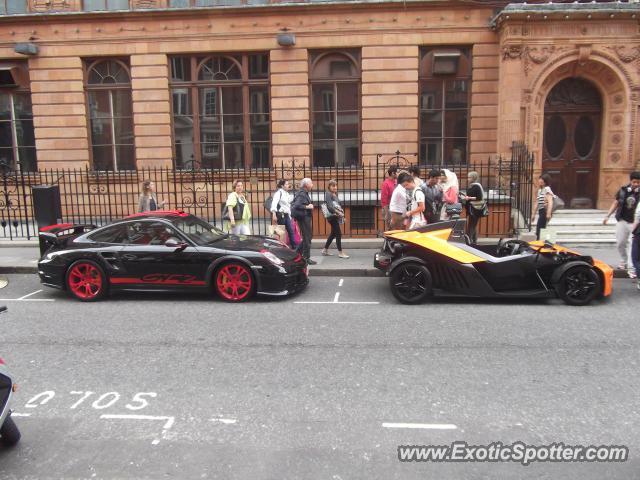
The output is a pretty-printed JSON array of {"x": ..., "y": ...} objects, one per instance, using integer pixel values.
[{"x": 220, "y": 107}]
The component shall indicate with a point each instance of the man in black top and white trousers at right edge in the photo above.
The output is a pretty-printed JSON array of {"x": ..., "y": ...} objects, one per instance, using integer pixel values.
[{"x": 624, "y": 207}]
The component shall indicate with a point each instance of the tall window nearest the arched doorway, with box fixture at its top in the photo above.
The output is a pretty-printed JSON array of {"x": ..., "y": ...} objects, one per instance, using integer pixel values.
[{"x": 445, "y": 87}]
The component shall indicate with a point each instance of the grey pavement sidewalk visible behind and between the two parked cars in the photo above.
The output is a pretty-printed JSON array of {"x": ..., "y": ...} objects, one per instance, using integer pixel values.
[{"x": 23, "y": 259}]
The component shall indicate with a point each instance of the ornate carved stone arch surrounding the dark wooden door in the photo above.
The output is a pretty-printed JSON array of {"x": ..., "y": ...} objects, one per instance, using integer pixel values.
[{"x": 619, "y": 116}]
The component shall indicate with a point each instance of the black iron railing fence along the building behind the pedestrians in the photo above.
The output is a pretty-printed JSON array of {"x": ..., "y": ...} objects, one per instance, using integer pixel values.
[{"x": 99, "y": 197}]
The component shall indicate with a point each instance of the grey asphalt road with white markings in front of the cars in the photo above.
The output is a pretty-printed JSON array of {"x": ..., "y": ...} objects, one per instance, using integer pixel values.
[{"x": 163, "y": 386}]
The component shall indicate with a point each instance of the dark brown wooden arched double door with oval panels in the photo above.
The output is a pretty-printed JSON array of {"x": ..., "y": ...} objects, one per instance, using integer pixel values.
[{"x": 571, "y": 141}]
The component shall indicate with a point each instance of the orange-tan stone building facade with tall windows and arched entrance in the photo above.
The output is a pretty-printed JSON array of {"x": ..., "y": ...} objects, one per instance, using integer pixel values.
[{"x": 118, "y": 85}]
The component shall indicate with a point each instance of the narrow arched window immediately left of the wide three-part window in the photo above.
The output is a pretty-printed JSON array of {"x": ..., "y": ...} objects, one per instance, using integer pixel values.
[{"x": 108, "y": 85}]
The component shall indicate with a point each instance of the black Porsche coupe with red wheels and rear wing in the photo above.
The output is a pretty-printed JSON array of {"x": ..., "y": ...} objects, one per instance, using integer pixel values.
[{"x": 166, "y": 250}]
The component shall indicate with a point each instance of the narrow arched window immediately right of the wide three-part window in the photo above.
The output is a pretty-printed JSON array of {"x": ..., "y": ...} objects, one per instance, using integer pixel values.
[{"x": 335, "y": 108}]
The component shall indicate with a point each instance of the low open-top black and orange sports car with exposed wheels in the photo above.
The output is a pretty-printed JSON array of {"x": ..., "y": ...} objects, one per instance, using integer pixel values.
[{"x": 438, "y": 259}]
